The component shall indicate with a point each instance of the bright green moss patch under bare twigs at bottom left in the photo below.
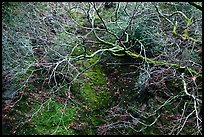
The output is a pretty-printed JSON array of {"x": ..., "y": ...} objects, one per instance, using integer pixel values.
[{"x": 51, "y": 118}]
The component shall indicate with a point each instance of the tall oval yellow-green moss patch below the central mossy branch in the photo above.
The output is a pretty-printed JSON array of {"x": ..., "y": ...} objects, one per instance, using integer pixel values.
[{"x": 93, "y": 91}]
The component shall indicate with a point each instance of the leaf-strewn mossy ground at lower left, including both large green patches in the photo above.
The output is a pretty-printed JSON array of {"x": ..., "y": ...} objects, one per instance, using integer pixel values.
[{"x": 41, "y": 115}]
